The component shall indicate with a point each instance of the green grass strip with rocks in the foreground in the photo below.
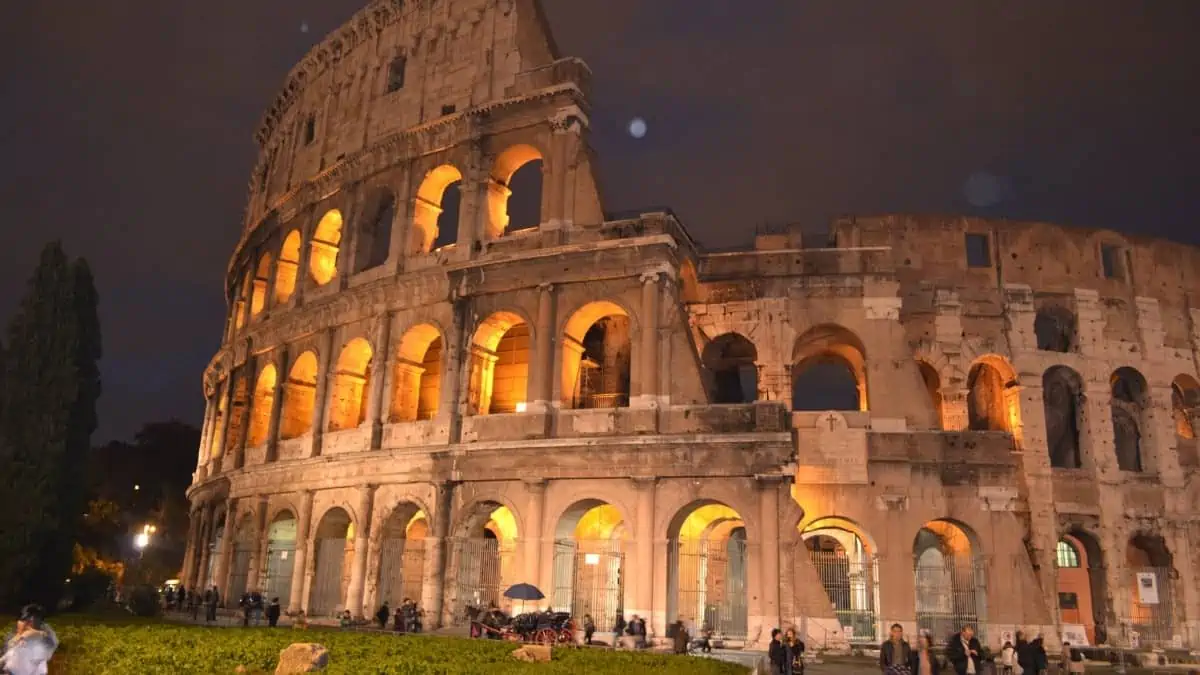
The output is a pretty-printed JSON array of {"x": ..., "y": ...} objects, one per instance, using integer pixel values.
[{"x": 119, "y": 647}]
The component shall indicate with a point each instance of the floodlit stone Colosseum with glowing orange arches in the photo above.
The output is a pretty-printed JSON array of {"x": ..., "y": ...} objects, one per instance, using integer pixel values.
[{"x": 925, "y": 421}]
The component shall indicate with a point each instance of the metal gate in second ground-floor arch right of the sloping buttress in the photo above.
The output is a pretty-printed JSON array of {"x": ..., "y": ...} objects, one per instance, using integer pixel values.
[{"x": 951, "y": 596}]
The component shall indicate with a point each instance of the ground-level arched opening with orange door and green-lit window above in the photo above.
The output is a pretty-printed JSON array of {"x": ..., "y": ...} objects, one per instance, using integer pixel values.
[{"x": 1082, "y": 592}]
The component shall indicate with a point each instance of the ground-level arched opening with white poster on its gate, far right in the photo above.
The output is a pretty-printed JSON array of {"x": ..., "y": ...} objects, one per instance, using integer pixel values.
[{"x": 1151, "y": 593}]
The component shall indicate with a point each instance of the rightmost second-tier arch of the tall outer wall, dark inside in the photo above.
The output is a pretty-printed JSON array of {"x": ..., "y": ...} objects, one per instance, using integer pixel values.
[{"x": 597, "y": 356}]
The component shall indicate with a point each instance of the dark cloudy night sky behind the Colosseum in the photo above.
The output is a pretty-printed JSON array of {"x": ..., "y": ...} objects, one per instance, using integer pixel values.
[{"x": 125, "y": 130}]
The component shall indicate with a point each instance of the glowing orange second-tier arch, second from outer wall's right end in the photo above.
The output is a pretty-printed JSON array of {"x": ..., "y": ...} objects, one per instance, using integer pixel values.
[{"x": 500, "y": 366}]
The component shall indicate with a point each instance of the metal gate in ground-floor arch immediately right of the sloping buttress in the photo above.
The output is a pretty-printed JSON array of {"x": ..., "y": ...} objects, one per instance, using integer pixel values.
[{"x": 850, "y": 583}]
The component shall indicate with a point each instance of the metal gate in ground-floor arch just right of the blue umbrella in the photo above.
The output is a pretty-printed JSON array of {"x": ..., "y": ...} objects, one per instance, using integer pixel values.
[{"x": 590, "y": 578}]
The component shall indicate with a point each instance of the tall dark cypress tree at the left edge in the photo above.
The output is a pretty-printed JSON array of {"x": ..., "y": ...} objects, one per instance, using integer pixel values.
[{"x": 49, "y": 391}]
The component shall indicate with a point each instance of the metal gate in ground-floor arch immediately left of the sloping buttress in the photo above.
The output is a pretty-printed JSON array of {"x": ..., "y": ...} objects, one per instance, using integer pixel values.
[{"x": 711, "y": 586}]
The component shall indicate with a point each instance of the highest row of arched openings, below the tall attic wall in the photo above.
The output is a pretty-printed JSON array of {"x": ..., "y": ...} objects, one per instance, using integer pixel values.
[{"x": 514, "y": 201}]
